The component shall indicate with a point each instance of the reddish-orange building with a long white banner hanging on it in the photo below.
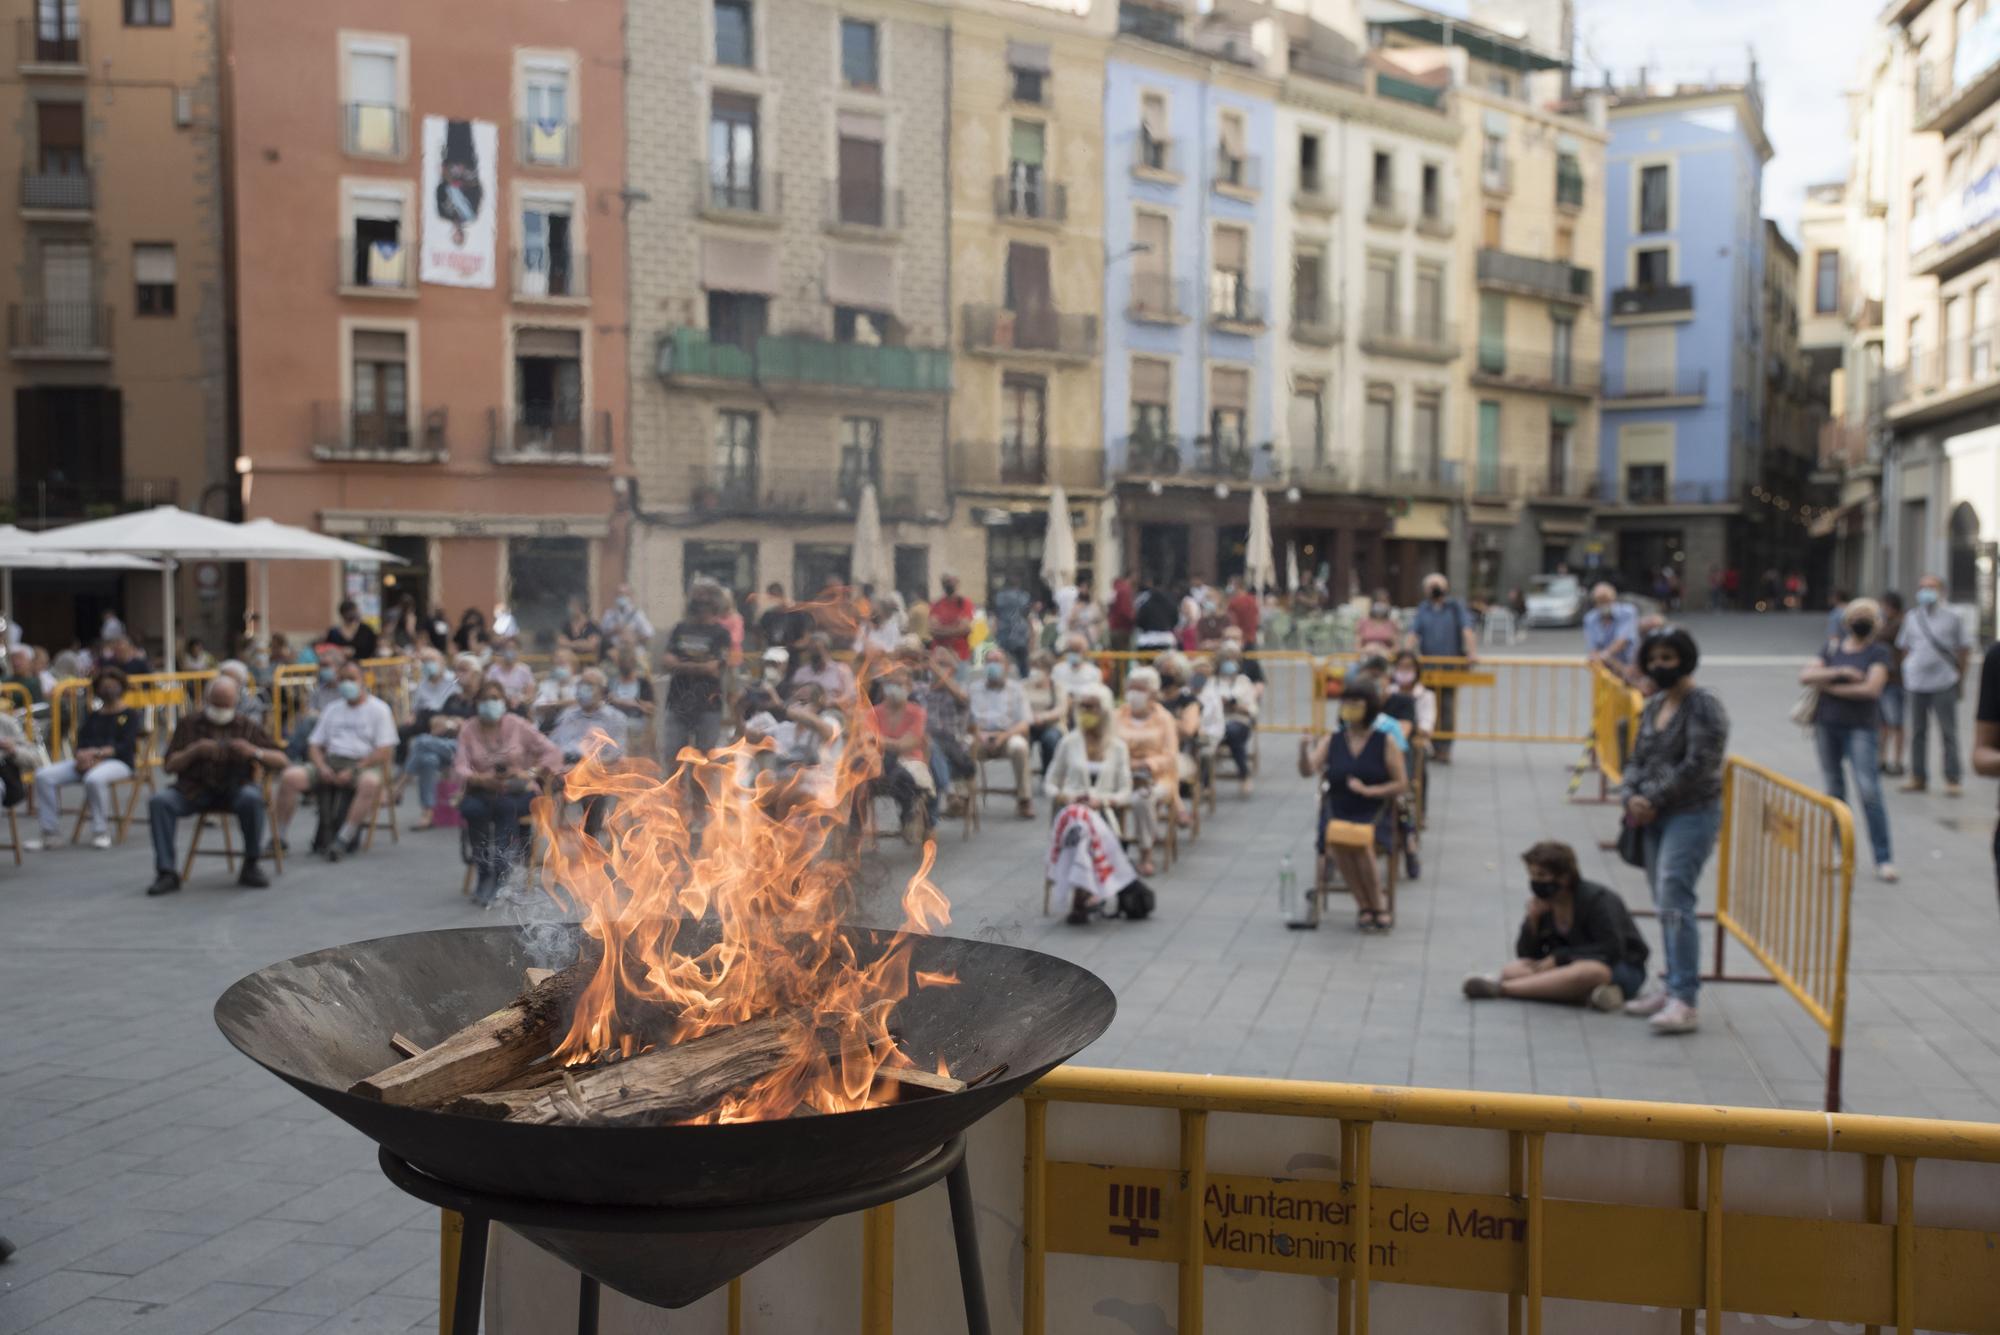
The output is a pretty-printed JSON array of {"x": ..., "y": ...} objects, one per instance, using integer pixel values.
[{"x": 429, "y": 261}]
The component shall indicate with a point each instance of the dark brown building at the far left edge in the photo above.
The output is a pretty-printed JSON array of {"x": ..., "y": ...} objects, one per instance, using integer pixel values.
[{"x": 117, "y": 295}]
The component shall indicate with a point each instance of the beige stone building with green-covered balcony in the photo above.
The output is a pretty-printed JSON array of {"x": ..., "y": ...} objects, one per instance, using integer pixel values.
[{"x": 789, "y": 289}]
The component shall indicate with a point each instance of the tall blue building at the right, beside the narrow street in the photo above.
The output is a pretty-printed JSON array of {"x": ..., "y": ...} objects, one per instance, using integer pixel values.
[{"x": 1683, "y": 347}]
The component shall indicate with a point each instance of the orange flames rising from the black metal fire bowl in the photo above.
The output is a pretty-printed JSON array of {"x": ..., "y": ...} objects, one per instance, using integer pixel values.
[{"x": 773, "y": 868}]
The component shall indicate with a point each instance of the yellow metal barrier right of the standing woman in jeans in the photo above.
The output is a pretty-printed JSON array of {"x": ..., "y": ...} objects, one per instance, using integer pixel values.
[{"x": 1785, "y": 884}]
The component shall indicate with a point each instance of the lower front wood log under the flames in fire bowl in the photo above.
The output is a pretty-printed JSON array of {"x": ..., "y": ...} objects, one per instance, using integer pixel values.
[{"x": 657, "y": 1088}]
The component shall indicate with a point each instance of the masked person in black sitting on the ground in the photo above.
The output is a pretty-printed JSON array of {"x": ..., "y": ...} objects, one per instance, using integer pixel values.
[{"x": 1577, "y": 944}]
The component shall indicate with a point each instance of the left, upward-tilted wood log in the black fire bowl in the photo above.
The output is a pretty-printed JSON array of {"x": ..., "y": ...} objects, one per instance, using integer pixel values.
[{"x": 487, "y": 1054}]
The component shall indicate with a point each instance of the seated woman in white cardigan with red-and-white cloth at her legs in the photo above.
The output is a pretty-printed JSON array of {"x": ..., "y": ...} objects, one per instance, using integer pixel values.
[{"x": 1089, "y": 784}]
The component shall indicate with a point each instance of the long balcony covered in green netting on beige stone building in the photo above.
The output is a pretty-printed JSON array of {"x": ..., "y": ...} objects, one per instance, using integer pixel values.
[{"x": 805, "y": 365}]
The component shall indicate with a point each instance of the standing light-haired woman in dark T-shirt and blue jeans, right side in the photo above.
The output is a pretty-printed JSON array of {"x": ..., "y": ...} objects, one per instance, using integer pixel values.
[{"x": 1851, "y": 676}]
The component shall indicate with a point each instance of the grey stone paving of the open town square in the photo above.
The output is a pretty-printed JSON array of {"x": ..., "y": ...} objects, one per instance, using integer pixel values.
[{"x": 161, "y": 1184}]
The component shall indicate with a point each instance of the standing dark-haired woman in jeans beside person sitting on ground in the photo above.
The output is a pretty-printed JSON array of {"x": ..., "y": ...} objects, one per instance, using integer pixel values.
[{"x": 1673, "y": 794}]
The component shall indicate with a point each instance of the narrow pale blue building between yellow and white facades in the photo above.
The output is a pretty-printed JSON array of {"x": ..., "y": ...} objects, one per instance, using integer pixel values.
[{"x": 1191, "y": 259}]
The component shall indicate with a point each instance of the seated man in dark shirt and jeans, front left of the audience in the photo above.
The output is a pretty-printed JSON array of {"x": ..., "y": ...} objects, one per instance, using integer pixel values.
[{"x": 217, "y": 758}]
